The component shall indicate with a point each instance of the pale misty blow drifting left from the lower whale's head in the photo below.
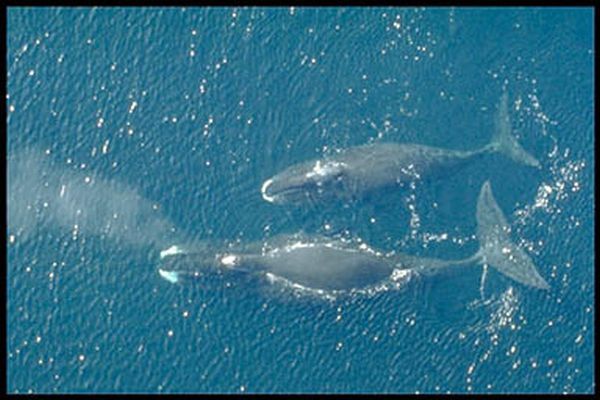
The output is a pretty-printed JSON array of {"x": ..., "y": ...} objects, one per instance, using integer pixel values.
[{"x": 45, "y": 196}]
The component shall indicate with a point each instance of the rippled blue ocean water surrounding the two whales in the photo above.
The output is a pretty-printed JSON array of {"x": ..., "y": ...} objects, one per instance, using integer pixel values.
[{"x": 130, "y": 130}]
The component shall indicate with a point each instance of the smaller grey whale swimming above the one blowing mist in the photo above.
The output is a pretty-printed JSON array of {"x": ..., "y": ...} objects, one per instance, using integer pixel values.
[{"x": 358, "y": 170}]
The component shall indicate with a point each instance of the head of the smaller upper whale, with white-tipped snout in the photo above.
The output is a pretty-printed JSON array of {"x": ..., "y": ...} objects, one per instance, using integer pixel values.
[{"x": 304, "y": 182}]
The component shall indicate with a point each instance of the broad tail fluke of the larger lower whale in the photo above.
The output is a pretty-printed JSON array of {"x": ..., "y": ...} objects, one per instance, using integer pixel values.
[{"x": 496, "y": 248}]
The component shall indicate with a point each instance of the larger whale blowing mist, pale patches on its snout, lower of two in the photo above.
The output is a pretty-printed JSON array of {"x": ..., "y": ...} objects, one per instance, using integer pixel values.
[{"x": 331, "y": 264}]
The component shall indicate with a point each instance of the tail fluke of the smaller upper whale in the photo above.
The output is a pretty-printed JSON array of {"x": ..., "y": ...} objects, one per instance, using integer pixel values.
[{"x": 504, "y": 142}]
